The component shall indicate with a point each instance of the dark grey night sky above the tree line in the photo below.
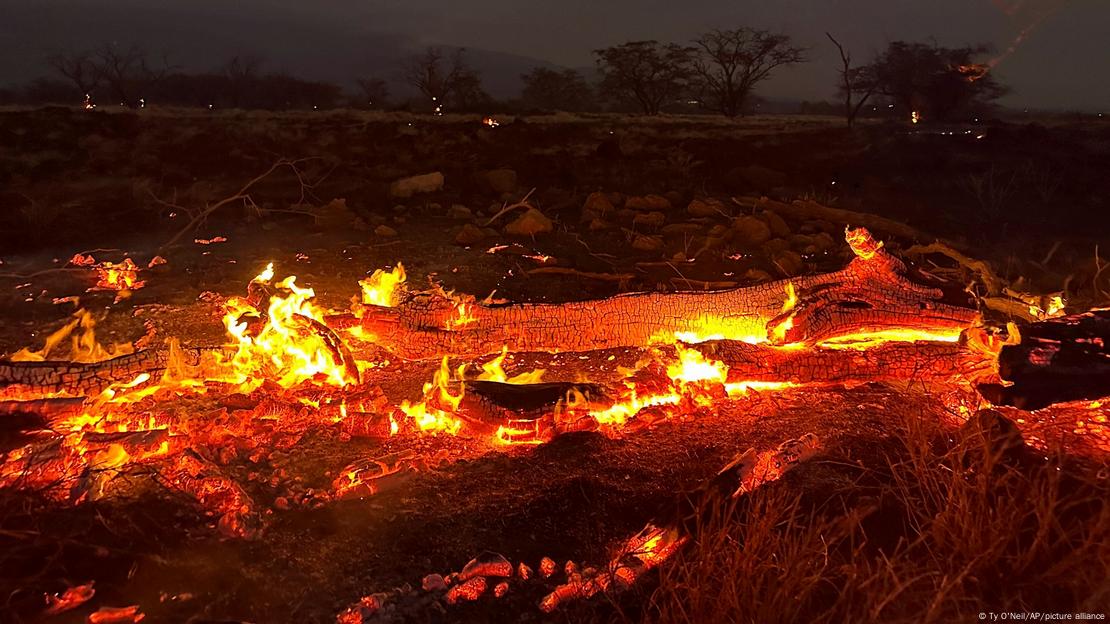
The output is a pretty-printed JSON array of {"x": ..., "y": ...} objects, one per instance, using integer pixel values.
[{"x": 1063, "y": 64}]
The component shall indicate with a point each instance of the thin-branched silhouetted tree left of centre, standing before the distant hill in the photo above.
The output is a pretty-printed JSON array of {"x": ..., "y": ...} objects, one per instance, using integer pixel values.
[{"x": 443, "y": 82}]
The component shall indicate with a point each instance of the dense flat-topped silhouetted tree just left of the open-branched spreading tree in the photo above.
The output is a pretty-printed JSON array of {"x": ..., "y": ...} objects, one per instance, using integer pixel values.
[{"x": 648, "y": 74}]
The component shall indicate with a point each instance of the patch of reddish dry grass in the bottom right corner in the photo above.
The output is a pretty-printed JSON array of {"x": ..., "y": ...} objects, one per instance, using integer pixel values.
[{"x": 936, "y": 529}]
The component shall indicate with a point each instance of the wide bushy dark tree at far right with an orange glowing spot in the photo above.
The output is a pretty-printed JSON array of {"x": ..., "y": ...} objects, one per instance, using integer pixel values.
[{"x": 939, "y": 83}]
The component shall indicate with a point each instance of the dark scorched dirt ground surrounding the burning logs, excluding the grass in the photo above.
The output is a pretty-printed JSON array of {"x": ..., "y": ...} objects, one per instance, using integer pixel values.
[{"x": 1032, "y": 198}]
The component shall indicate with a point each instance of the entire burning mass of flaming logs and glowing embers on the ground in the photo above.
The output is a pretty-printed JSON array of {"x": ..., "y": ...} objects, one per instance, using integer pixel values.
[{"x": 211, "y": 425}]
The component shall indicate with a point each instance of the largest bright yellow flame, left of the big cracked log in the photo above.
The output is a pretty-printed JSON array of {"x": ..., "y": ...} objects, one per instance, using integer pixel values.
[{"x": 292, "y": 346}]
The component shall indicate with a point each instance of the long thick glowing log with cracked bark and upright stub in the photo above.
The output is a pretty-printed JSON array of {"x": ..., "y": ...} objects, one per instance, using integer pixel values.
[{"x": 872, "y": 296}]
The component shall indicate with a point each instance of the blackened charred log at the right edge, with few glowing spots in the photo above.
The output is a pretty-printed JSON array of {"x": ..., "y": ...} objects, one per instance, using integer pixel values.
[{"x": 1056, "y": 361}]
